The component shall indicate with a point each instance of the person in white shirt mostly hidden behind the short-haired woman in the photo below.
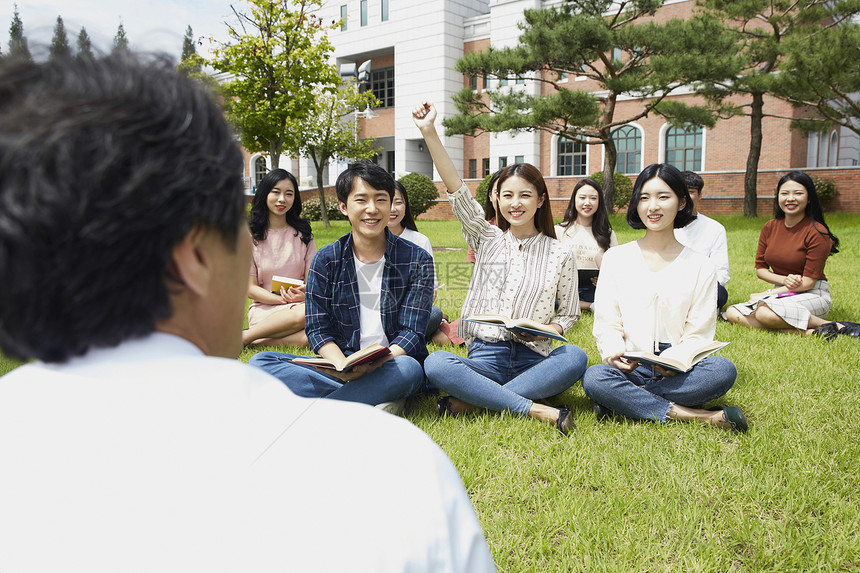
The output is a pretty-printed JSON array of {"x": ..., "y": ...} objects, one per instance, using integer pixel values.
[{"x": 706, "y": 236}]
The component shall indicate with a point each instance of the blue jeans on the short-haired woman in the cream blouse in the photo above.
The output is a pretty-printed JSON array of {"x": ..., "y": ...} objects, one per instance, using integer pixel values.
[{"x": 645, "y": 395}]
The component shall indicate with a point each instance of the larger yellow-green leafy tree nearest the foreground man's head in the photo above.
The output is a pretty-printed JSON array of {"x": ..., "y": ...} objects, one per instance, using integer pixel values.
[{"x": 279, "y": 58}]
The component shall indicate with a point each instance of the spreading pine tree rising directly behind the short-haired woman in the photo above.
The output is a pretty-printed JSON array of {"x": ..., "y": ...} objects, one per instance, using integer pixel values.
[{"x": 615, "y": 43}]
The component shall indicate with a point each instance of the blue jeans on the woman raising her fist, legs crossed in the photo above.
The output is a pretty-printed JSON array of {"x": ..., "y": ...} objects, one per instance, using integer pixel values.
[{"x": 505, "y": 375}]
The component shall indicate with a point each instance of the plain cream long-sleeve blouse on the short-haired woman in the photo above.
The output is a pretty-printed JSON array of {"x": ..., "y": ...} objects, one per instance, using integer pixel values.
[{"x": 635, "y": 308}]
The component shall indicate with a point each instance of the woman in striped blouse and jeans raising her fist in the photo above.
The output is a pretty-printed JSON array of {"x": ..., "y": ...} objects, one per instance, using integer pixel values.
[{"x": 520, "y": 271}]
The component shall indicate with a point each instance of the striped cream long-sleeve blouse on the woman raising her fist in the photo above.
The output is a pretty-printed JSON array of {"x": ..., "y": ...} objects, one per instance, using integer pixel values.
[{"x": 519, "y": 279}]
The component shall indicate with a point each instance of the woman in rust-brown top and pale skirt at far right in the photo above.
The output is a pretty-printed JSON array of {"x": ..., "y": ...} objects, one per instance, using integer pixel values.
[{"x": 792, "y": 250}]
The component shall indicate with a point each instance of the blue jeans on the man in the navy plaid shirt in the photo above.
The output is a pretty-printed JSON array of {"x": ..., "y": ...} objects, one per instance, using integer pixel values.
[{"x": 398, "y": 378}]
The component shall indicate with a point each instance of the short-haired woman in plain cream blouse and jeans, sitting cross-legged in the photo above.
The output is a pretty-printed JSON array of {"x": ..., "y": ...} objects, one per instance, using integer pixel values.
[{"x": 655, "y": 295}]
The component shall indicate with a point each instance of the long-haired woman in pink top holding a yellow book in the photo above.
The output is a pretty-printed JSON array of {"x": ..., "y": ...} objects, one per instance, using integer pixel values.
[{"x": 284, "y": 246}]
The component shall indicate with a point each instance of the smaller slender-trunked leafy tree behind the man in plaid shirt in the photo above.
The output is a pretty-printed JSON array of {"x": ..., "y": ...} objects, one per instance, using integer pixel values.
[{"x": 327, "y": 131}]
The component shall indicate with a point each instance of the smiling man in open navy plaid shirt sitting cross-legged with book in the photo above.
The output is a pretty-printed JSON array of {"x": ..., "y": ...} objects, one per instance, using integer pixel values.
[{"x": 369, "y": 287}]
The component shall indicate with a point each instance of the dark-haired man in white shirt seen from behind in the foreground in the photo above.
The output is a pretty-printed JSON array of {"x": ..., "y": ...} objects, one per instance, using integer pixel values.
[{"x": 134, "y": 440}]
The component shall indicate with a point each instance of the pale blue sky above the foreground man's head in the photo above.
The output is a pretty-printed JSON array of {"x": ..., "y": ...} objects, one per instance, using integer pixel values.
[{"x": 150, "y": 25}]
